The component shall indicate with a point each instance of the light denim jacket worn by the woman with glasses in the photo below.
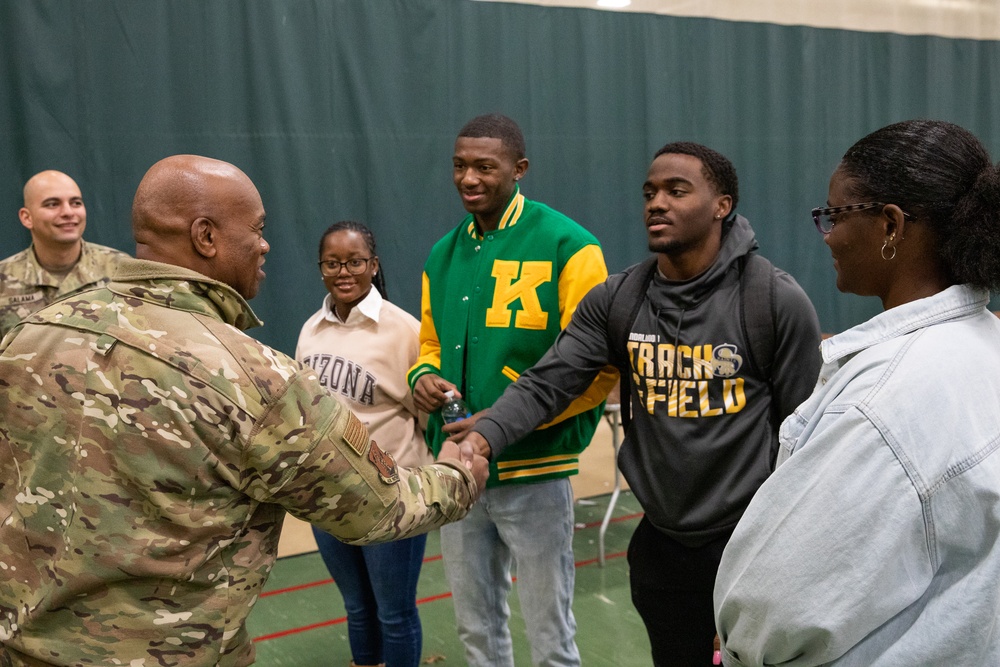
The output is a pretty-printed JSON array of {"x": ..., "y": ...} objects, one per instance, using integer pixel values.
[{"x": 877, "y": 539}]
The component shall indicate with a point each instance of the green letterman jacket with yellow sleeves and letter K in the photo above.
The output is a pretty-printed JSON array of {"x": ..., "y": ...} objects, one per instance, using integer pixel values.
[{"x": 492, "y": 305}]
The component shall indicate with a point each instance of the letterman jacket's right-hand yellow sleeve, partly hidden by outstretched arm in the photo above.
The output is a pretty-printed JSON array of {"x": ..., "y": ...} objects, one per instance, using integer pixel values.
[{"x": 585, "y": 270}]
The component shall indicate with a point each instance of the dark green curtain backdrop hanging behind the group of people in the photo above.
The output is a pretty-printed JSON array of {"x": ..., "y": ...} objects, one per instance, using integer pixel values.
[{"x": 349, "y": 109}]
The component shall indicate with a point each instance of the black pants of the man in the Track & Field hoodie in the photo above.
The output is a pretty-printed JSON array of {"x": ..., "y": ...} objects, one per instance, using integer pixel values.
[{"x": 672, "y": 590}]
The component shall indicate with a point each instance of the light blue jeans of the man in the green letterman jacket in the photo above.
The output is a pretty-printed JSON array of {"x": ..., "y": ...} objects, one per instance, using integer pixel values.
[{"x": 531, "y": 526}]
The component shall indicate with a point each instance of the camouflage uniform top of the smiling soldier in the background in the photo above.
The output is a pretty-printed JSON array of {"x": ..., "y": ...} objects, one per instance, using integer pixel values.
[{"x": 26, "y": 287}]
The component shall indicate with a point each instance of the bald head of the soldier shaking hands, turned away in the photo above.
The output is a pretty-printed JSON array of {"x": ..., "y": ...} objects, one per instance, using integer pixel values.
[{"x": 202, "y": 214}]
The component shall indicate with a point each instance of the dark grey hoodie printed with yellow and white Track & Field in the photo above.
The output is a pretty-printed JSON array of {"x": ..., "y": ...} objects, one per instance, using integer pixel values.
[{"x": 701, "y": 440}]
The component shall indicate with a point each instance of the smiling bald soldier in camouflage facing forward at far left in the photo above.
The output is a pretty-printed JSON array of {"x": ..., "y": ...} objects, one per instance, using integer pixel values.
[{"x": 58, "y": 260}]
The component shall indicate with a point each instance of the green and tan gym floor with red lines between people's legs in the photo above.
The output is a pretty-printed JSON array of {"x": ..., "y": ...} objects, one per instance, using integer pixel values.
[{"x": 299, "y": 620}]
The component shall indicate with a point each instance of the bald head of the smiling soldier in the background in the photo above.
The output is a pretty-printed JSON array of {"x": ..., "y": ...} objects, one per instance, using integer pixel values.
[{"x": 53, "y": 210}]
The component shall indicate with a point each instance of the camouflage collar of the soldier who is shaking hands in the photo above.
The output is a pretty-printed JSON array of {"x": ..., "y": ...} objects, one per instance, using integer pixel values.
[{"x": 183, "y": 289}]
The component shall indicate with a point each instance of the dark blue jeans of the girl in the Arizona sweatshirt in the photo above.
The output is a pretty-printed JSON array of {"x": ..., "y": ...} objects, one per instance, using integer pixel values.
[{"x": 379, "y": 585}]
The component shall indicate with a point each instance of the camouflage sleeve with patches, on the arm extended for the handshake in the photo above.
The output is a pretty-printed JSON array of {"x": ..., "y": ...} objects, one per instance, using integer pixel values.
[{"x": 314, "y": 457}]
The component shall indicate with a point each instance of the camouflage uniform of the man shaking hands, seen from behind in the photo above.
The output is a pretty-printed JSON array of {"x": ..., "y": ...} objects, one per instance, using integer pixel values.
[{"x": 148, "y": 452}]
